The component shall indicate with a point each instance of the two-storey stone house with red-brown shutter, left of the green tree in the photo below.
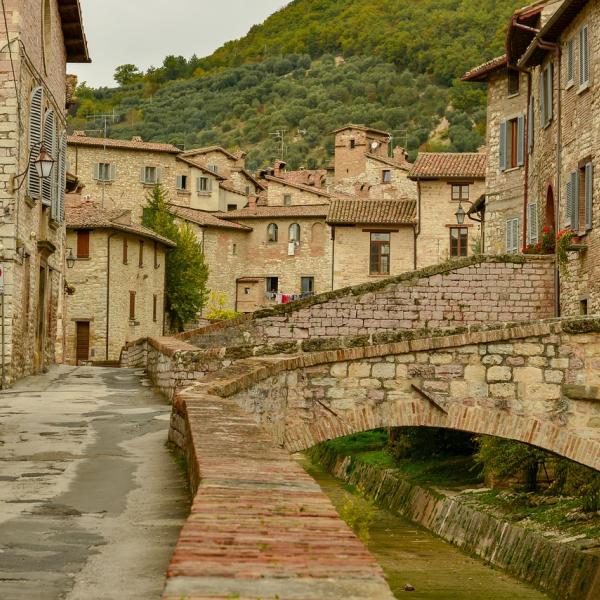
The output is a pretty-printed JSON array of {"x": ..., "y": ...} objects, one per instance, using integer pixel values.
[{"x": 116, "y": 283}]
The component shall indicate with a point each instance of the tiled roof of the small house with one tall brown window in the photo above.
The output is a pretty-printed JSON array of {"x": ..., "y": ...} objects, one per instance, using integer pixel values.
[{"x": 376, "y": 212}]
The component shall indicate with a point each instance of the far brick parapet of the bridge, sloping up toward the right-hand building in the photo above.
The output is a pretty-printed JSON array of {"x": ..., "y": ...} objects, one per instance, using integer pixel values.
[{"x": 477, "y": 289}]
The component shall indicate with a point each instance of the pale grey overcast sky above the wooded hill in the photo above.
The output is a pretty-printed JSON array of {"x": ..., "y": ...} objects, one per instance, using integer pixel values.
[{"x": 143, "y": 32}]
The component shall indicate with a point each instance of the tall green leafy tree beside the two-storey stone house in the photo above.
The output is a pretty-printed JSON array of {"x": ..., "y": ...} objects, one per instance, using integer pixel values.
[{"x": 186, "y": 291}]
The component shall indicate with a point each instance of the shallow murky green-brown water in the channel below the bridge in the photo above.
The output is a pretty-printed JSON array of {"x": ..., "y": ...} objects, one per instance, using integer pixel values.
[{"x": 410, "y": 554}]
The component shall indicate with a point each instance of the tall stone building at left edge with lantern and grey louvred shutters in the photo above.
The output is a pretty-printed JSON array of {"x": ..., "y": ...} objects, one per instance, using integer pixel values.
[{"x": 41, "y": 36}]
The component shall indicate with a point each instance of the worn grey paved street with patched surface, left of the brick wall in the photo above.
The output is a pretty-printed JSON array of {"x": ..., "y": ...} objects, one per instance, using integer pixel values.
[{"x": 91, "y": 501}]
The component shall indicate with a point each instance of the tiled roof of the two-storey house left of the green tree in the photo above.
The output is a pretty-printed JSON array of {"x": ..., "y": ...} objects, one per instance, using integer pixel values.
[{"x": 87, "y": 215}]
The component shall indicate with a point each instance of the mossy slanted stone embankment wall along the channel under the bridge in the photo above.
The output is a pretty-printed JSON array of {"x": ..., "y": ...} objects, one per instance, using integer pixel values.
[{"x": 559, "y": 569}]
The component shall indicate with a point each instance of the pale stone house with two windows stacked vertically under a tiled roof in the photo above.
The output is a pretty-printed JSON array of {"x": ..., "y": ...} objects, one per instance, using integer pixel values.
[{"x": 445, "y": 181}]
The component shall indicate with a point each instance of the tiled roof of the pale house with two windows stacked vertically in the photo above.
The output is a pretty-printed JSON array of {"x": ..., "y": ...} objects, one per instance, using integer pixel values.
[{"x": 441, "y": 165}]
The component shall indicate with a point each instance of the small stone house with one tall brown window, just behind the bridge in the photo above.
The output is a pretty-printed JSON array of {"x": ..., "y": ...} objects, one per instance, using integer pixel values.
[{"x": 371, "y": 239}]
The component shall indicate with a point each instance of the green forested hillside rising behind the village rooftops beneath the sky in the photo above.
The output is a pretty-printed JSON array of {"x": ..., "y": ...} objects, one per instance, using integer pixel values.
[{"x": 311, "y": 67}]
